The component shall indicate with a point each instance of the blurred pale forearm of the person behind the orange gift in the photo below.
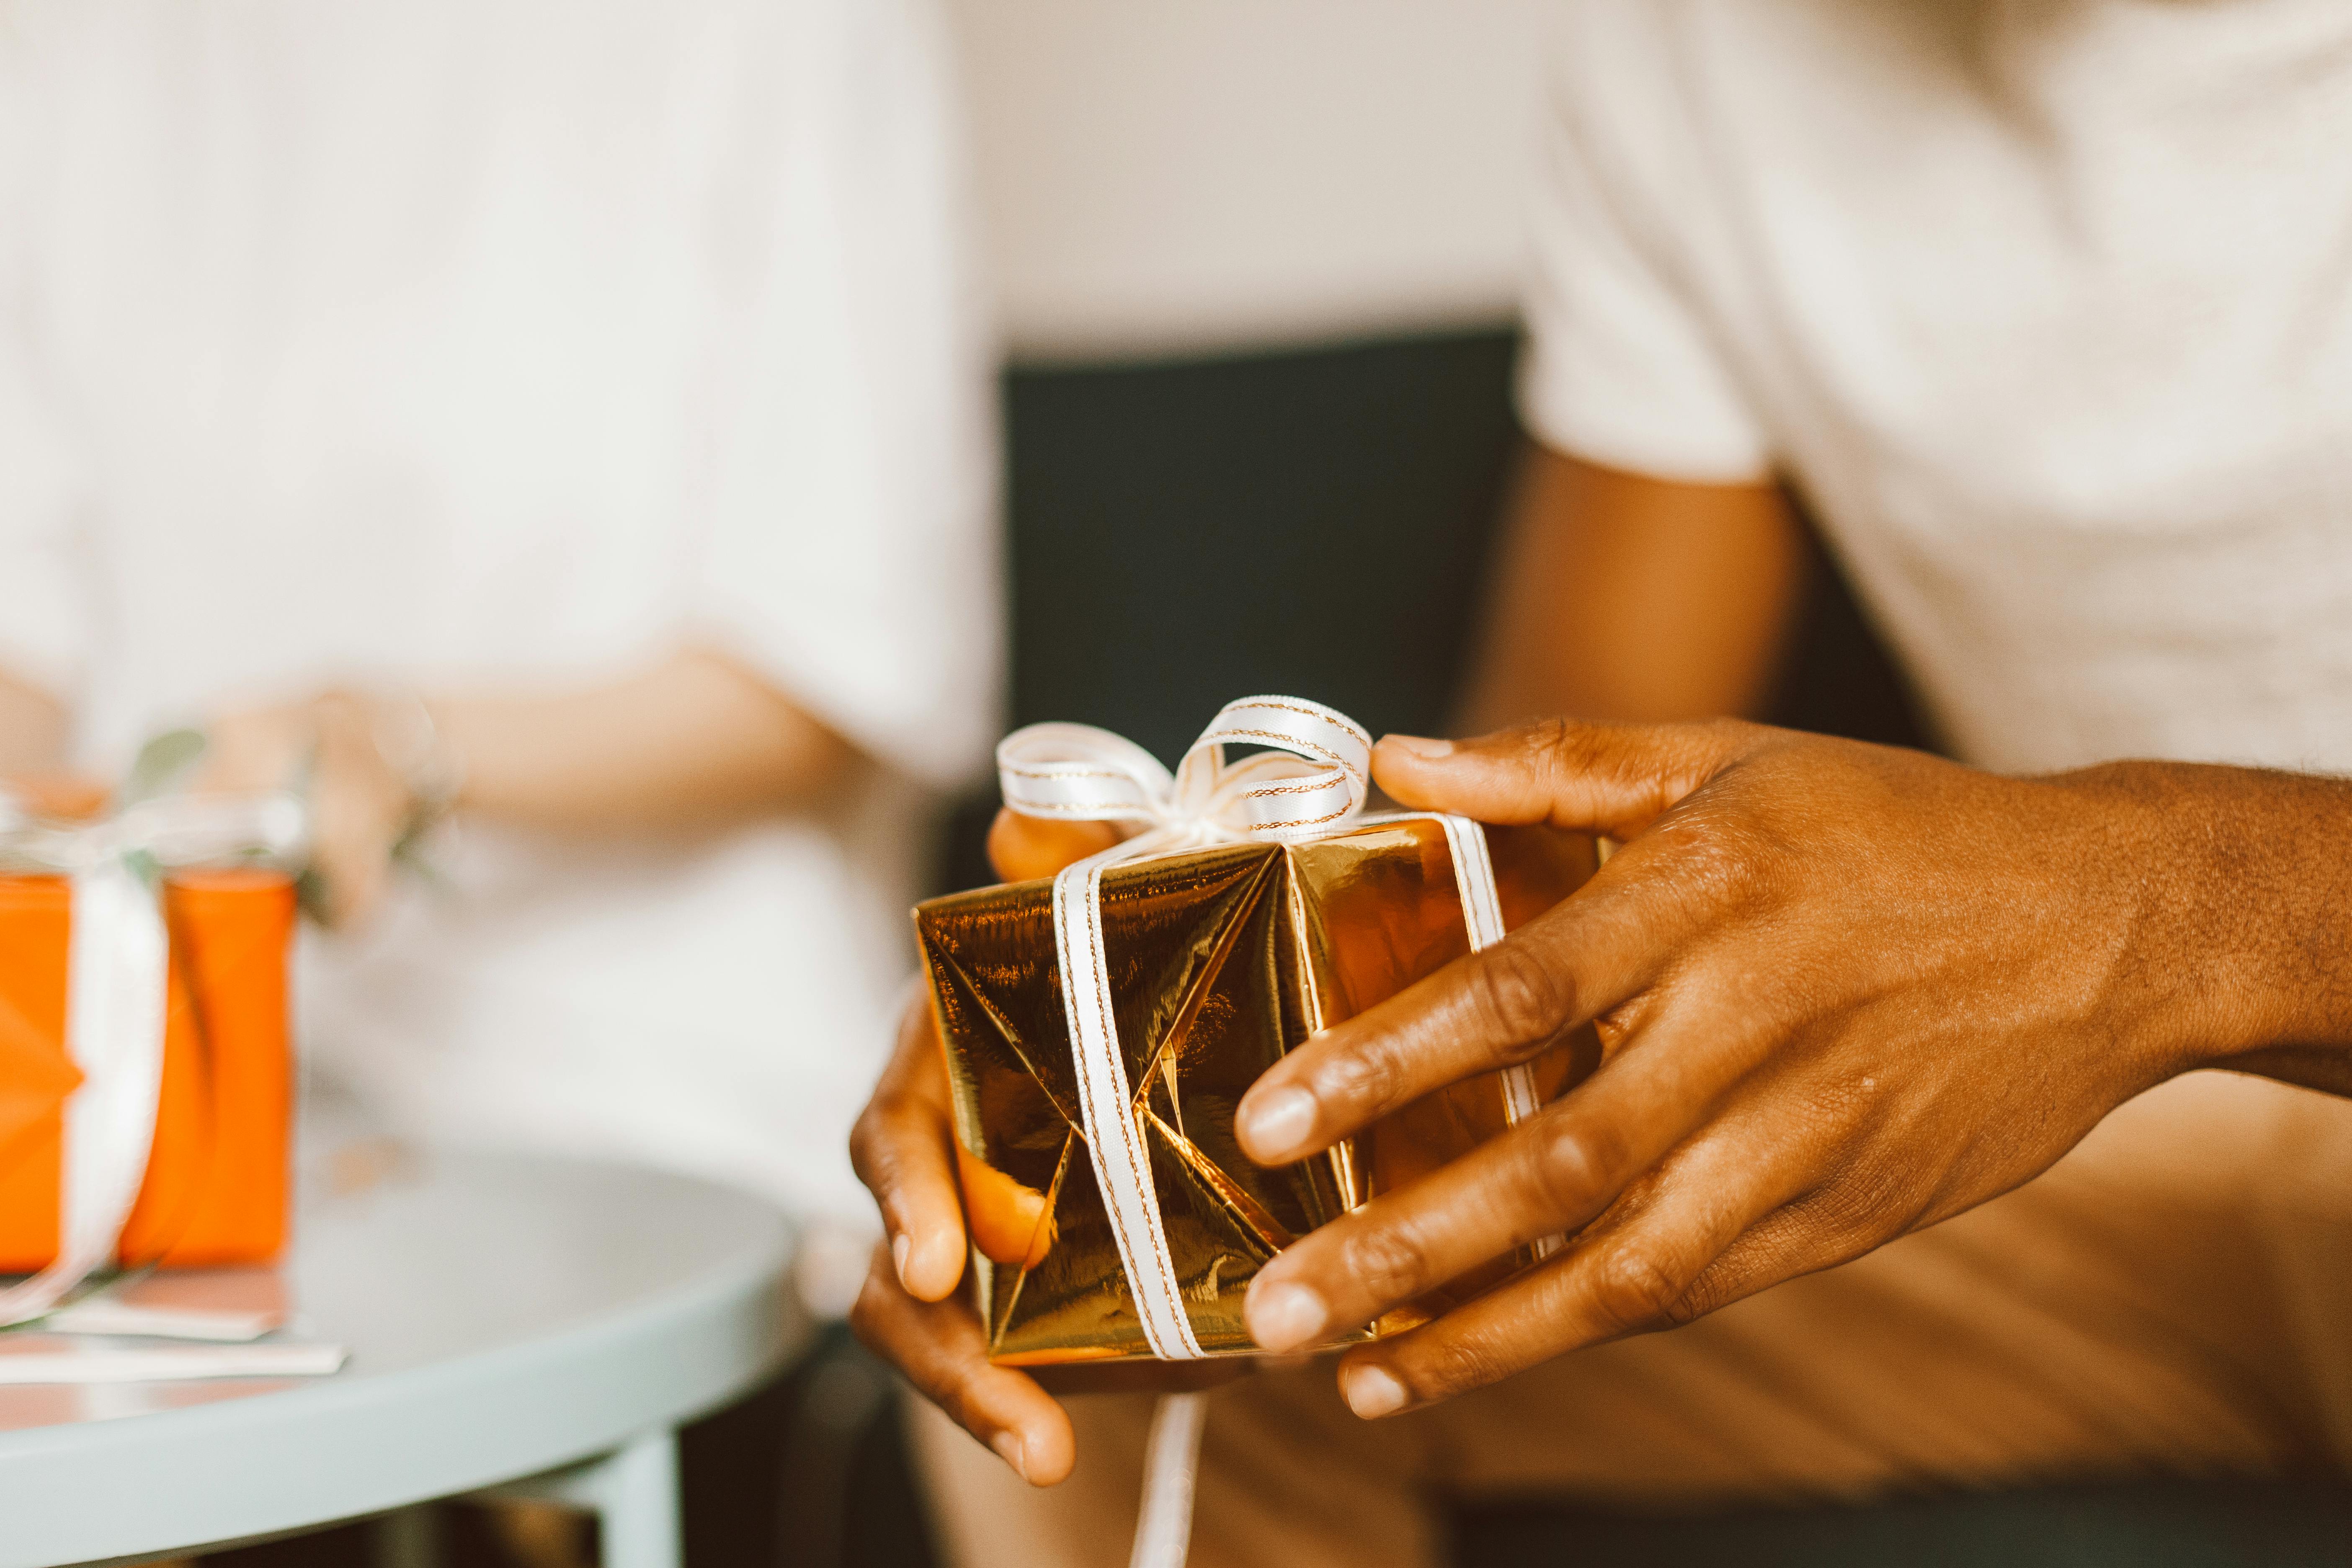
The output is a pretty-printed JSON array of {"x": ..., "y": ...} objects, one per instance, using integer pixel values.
[{"x": 686, "y": 744}]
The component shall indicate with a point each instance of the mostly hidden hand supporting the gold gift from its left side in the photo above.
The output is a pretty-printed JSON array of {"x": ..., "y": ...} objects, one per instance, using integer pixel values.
[{"x": 914, "y": 1311}]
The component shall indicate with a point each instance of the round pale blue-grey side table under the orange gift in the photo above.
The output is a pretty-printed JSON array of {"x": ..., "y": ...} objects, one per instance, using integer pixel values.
[{"x": 516, "y": 1325}]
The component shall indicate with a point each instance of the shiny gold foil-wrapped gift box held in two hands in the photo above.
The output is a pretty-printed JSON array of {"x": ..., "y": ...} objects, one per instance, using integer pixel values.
[{"x": 1220, "y": 963}]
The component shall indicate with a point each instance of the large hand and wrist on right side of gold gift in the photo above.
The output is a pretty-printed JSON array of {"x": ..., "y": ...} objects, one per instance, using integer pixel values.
[{"x": 1843, "y": 993}]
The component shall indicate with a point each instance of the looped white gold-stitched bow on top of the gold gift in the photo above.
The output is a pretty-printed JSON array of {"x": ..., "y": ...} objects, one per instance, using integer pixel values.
[{"x": 1311, "y": 782}]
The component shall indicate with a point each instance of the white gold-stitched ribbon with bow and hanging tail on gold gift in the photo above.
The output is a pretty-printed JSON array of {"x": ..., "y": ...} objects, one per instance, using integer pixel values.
[{"x": 1309, "y": 784}]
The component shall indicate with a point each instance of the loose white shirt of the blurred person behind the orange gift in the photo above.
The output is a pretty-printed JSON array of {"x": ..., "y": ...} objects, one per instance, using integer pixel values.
[{"x": 519, "y": 342}]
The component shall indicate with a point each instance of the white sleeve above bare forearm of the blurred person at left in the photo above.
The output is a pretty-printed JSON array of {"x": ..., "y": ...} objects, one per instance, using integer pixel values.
[{"x": 853, "y": 551}]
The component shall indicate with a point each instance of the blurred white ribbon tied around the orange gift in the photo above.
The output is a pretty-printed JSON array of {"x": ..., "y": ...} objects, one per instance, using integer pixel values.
[{"x": 116, "y": 991}]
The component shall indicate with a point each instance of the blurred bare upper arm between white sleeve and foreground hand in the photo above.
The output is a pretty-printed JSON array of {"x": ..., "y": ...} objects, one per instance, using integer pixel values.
[{"x": 1633, "y": 598}]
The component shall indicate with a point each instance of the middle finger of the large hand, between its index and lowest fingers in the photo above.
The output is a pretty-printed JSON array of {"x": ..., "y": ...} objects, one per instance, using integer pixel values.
[{"x": 1546, "y": 1177}]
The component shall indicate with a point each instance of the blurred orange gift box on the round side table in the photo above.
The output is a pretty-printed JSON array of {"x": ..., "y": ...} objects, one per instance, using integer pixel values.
[{"x": 218, "y": 1177}]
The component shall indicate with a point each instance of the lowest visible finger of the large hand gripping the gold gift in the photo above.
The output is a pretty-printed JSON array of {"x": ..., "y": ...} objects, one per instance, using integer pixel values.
[{"x": 1638, "y": 1271}]
